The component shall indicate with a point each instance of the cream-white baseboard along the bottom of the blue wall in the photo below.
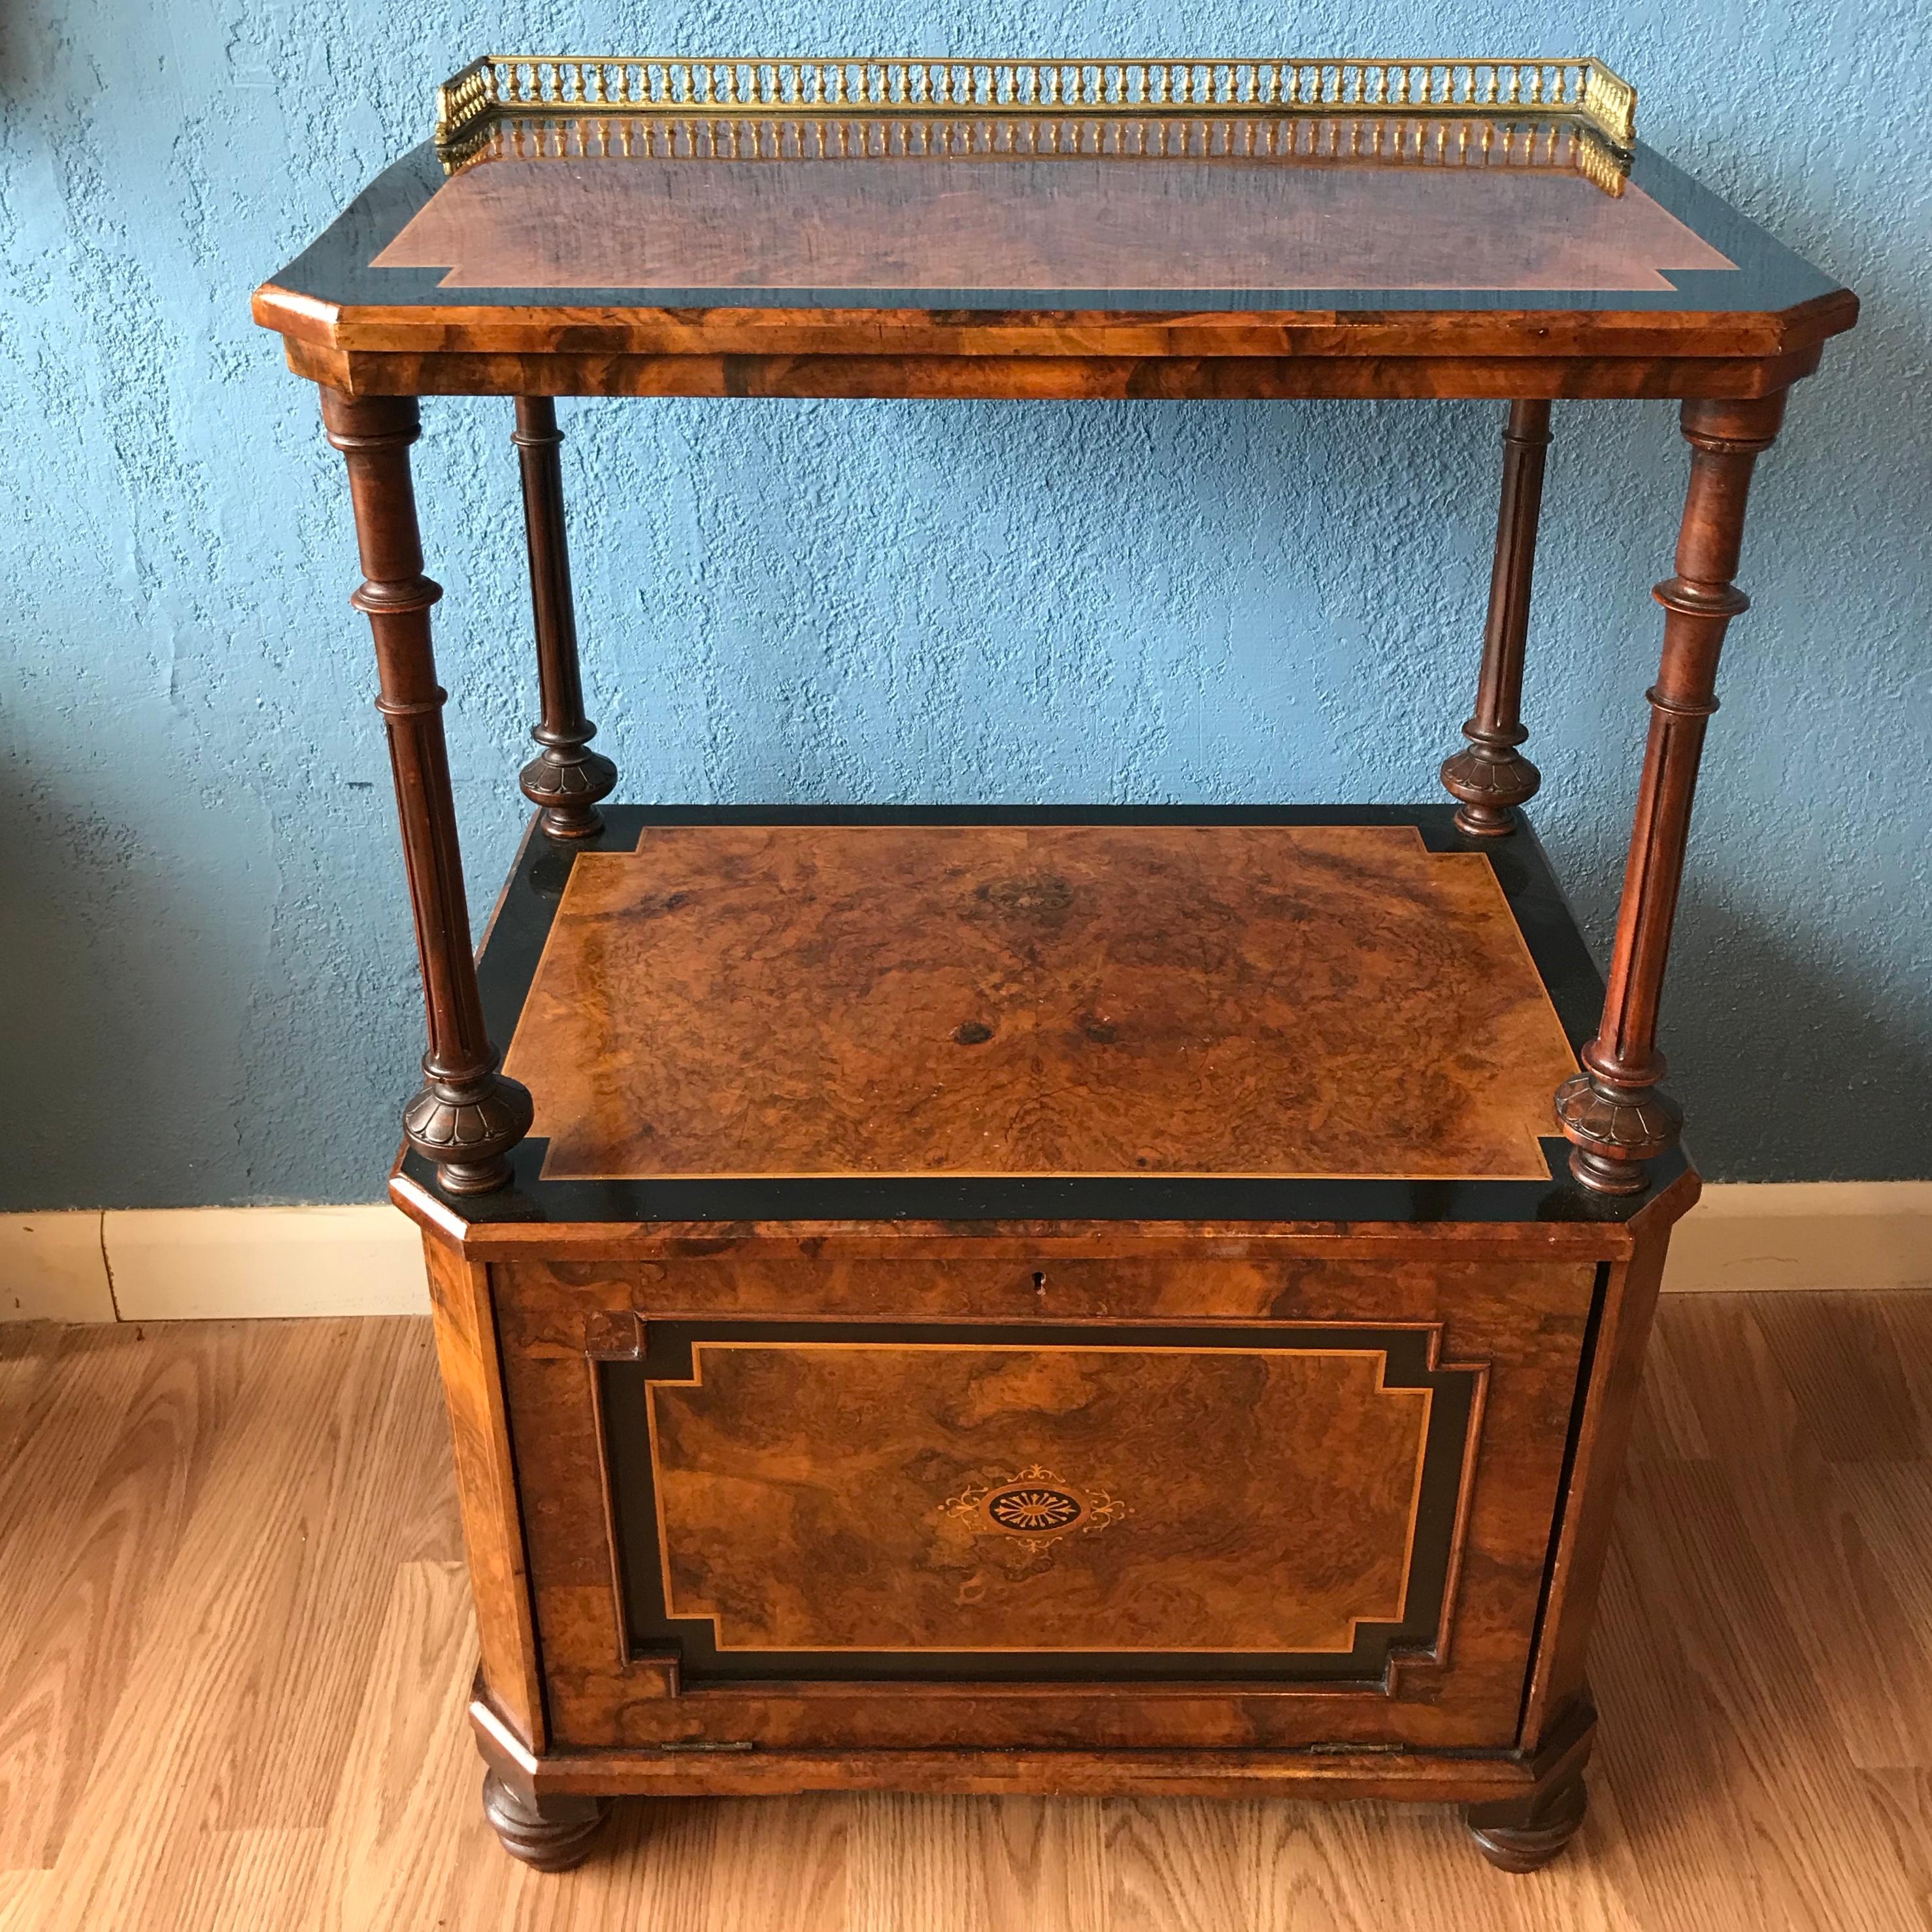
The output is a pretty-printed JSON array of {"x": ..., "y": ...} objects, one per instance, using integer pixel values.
[{"x": 169, "y": 1264}]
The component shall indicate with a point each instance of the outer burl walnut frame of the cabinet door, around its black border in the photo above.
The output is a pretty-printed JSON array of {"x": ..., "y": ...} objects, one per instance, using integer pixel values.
[{"x": 1523, "y": 1322}]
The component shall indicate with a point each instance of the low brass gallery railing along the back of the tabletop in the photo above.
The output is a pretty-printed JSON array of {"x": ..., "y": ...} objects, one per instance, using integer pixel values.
[{"x": 1581, "y": 92}]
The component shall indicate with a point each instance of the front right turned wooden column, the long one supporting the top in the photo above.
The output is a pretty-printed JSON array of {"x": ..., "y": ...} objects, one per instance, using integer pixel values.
[{"x": 1612, "y": 1112}]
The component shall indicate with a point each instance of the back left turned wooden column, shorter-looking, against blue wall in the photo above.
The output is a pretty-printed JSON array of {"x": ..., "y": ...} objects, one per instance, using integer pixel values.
[{"x": 565, "y": 781}]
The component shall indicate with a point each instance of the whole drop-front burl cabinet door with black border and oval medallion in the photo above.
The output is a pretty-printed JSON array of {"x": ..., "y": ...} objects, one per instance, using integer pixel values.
[{"x": 1274, "y": 1545}]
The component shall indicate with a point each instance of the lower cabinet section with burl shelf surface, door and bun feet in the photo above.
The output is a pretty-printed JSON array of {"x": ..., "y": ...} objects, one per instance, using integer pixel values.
[{"x": 1038, "y": 1301}]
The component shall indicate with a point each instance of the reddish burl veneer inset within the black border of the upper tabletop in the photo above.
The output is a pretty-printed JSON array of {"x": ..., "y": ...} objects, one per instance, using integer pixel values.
[{"x": 938, "y": 227}]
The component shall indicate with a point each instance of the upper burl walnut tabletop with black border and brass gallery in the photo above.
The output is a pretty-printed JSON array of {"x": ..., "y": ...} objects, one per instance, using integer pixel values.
[{"x": 967, "y": 229}]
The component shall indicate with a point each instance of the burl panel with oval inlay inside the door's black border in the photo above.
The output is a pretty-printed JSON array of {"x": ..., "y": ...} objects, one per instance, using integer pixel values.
[{"x": 1297, "y": 1529}]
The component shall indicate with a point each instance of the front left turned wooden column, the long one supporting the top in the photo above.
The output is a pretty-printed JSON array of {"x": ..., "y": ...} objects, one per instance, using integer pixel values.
[{"x": 467, "y": 1116}]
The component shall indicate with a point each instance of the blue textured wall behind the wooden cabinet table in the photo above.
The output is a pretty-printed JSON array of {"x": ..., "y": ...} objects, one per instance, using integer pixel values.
[{"x": 208, "y": 982}]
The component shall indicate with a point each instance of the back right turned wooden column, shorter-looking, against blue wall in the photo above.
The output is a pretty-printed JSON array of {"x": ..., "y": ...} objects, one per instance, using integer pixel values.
[{"x": 1491, "y": 776}]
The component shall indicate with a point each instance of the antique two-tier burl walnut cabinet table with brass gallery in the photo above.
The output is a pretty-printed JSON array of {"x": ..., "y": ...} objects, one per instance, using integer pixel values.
[{"x": 1040, "y": 1299}]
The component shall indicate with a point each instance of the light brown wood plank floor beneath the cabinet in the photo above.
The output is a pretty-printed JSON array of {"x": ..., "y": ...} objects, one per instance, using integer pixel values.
[{"x": 235, "y": 1645}]
